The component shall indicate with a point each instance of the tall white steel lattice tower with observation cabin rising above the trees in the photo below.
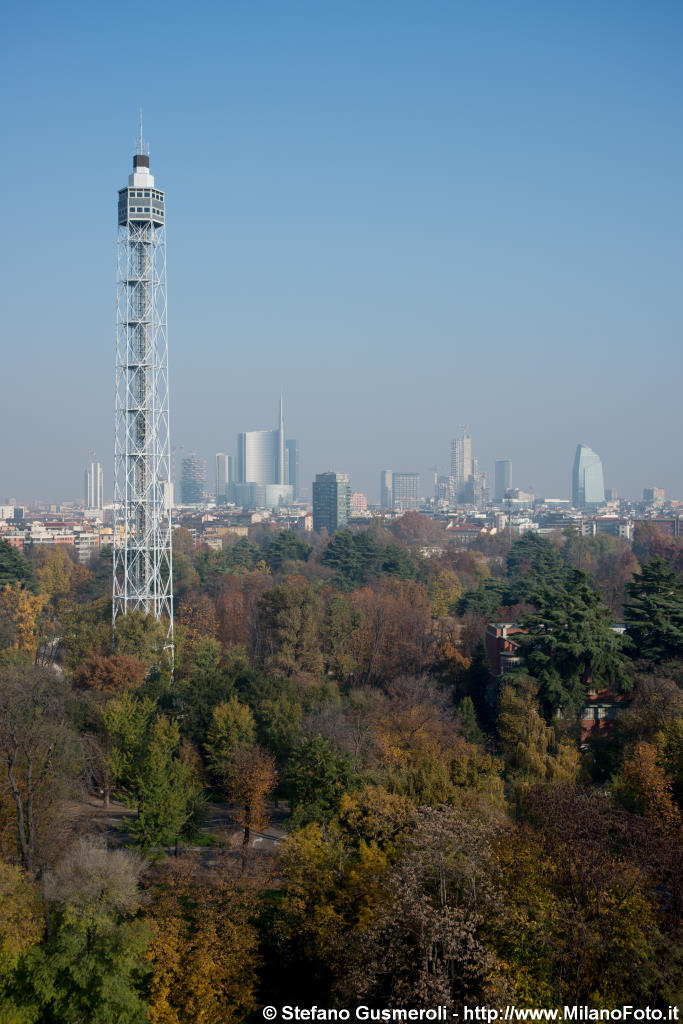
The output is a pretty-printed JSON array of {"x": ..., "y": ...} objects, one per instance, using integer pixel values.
[{"x": 143, "y": 562}]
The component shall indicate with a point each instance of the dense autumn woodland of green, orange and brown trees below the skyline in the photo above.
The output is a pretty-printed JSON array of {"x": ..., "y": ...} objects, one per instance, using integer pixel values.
[{"x": 450, "y": 840}]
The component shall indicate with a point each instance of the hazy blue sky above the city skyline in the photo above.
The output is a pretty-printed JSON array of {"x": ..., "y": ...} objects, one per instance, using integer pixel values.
[{"x": 407, "y": 216}]
